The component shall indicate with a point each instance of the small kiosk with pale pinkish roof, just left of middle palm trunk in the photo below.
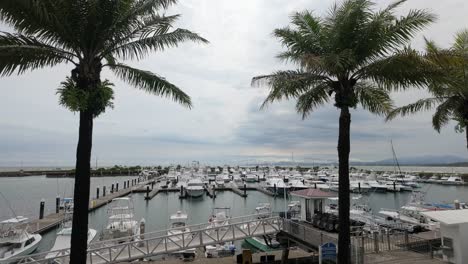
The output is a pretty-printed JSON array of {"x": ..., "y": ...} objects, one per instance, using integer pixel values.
[{"x": 312, "y": 201}]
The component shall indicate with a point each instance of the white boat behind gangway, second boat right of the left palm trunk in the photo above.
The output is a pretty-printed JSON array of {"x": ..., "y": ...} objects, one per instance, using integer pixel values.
[{"x": 179, "y": 232}]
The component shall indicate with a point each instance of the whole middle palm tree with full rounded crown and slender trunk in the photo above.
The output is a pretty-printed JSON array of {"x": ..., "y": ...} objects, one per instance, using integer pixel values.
[{"x": 354, "y": 56}]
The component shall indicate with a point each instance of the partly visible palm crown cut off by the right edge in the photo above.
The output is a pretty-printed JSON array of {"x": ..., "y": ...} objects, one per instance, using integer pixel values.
[{"x": 451, "y": 96}]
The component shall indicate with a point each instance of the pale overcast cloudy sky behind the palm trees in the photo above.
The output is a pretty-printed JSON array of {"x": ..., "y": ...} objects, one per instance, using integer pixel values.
[{"x": 225, "y": 125}]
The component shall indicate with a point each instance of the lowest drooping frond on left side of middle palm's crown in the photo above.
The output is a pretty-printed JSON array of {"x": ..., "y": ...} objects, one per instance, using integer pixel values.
[{"x": 316, "y": 96}]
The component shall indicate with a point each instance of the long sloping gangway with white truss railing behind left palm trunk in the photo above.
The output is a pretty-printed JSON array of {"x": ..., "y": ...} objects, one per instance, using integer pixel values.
[{"x": 163, "y": 242}]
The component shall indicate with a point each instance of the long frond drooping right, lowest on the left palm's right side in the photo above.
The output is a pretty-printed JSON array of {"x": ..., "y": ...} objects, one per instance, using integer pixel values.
[{"x": 150, "y": 83}]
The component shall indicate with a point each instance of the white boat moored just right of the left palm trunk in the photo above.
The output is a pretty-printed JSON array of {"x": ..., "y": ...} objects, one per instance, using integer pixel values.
[{"x": 122, "y": 225}]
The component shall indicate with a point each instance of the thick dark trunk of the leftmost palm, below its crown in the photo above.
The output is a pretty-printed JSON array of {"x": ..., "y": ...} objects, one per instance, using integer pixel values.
[{"x": 79, "y": 235}]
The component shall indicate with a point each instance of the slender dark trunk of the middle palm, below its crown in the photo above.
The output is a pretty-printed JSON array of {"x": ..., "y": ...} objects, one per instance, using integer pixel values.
[{"x": 344, "y": 238}]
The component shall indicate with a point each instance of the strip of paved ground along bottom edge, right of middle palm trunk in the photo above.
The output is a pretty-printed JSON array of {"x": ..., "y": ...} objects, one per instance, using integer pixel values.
[{"x": 400, "y": 257}]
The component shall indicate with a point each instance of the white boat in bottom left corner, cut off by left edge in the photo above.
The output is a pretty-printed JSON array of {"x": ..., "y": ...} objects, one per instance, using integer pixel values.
[{"x": 16, "y": 241}]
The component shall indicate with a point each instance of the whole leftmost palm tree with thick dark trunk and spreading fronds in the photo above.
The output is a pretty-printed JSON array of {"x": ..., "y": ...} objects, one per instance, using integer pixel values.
[{"x": 90, "y": 35}]
